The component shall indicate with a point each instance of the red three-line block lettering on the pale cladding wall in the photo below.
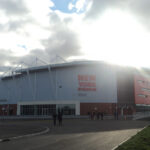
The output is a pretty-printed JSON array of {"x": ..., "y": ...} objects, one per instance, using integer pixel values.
[{"x": 87, "y": 83}]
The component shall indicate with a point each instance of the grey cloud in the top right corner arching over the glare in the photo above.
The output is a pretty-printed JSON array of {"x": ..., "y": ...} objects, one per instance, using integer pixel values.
[{"x": 138, "y": 8}]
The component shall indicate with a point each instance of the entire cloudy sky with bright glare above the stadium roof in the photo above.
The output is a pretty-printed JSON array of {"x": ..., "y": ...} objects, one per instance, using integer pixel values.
[{"x": 112, "y": 30}]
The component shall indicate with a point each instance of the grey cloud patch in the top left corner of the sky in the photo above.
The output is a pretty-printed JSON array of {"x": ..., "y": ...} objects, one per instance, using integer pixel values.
[{"x": 13, "y": 7}]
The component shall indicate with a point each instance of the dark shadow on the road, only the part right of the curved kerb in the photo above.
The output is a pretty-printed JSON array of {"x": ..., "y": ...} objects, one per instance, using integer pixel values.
[{"x": 83, "y": 126}]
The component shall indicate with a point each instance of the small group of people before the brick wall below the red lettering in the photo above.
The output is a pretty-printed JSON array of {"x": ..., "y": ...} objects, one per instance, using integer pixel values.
[{"x": 96, "y": 115}]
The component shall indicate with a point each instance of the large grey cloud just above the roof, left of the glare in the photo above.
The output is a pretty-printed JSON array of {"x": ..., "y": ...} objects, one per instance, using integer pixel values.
[{"x": 62, "y": 42}]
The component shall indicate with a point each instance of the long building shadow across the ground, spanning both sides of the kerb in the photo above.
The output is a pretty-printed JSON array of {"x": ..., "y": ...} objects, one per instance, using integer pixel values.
[{"x": 20, "y": 127}]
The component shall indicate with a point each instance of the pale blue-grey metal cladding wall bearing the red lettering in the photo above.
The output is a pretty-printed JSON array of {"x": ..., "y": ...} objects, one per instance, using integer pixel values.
[{"x": 84, "y": 82}]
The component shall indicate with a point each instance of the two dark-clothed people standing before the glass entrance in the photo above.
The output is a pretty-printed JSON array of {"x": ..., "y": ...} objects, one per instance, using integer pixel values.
[{"x": 59, "y": 117}]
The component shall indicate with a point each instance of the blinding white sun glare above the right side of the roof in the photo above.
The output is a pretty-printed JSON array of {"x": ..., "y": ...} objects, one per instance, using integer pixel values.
[{"x": 116, "y": 37}]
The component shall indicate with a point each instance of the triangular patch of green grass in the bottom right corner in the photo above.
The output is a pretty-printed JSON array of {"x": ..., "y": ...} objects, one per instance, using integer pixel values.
[{"x": 140, "y": 141}]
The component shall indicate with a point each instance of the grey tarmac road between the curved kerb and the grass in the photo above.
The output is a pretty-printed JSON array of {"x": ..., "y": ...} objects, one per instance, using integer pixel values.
[{"x": 78, "y": 134}]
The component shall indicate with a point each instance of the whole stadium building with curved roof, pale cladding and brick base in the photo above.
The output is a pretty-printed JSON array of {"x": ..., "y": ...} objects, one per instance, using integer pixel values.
[{"x": 78, "y": 88}]
